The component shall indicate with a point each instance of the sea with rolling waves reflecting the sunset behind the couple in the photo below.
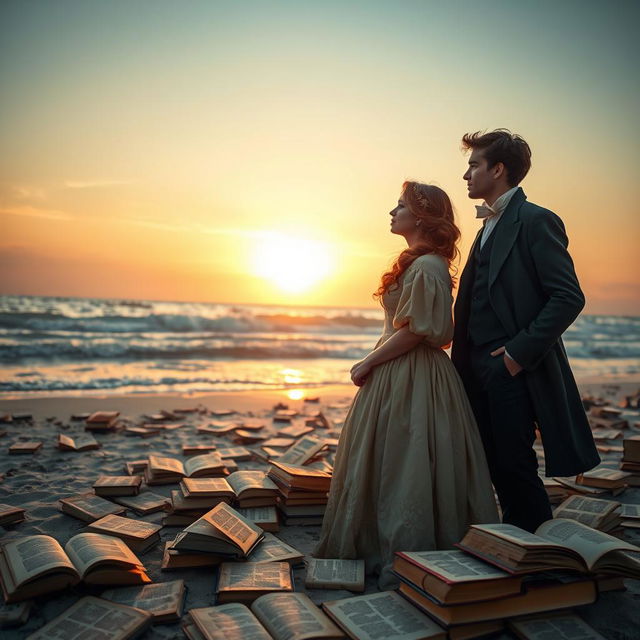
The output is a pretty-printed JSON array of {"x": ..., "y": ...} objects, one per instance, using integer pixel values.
[{"x": 53, "y": 346}]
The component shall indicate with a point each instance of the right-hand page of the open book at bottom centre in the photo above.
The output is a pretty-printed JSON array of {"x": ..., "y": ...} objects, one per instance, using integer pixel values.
[{"x": 293, "y": 616}]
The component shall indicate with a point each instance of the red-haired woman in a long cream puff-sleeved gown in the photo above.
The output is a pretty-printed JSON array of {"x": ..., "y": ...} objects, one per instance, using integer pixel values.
[{"x": 410, "y": 472}]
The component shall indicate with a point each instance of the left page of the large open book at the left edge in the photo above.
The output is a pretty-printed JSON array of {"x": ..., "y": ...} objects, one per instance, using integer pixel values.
[{"x": 34, "y": 555}]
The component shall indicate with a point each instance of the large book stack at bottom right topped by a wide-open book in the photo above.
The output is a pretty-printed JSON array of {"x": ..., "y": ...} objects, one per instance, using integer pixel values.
[{"x": 502, "y": 571}]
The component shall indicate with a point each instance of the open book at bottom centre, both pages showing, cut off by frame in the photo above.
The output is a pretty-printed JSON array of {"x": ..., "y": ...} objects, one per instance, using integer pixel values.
[{"x": 279, "y": 616}]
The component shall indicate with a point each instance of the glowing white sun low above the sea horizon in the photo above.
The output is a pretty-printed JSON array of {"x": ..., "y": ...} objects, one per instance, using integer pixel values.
[{"x": 293, "y": 264}]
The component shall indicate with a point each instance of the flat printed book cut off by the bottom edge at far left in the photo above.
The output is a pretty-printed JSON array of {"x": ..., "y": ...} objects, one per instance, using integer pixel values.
[{"x": 93, "y": 617}]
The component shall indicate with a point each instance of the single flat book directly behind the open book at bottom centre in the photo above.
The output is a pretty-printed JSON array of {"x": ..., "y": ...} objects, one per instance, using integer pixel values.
[{"x": 246, "y": 581}]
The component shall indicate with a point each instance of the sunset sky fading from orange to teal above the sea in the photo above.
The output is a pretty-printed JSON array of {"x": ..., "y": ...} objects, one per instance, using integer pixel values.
[{"x": 250, "y": 152}]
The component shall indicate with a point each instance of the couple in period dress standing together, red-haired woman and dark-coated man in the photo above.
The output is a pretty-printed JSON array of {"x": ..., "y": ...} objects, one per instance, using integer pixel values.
[{"x": 423, "y": 443}]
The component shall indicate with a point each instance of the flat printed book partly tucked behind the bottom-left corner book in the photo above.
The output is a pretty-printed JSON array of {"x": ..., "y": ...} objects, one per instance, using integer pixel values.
[{"x": 163, "y": 600}]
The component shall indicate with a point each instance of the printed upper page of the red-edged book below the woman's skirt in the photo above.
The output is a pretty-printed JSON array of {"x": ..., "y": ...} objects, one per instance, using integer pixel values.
[{"x": 454, "y": 566}]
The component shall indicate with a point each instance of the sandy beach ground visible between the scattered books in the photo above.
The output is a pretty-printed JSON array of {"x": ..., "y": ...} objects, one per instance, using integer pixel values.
[{"x": 37, "y": 481}]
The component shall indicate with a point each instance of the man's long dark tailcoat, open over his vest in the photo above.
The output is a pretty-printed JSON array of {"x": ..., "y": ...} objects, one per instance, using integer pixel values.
[{"x": 535, "y": 294}]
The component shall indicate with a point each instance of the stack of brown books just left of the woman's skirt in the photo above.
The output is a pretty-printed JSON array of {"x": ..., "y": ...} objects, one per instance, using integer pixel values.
[{"x": 303, "y": 492}]
